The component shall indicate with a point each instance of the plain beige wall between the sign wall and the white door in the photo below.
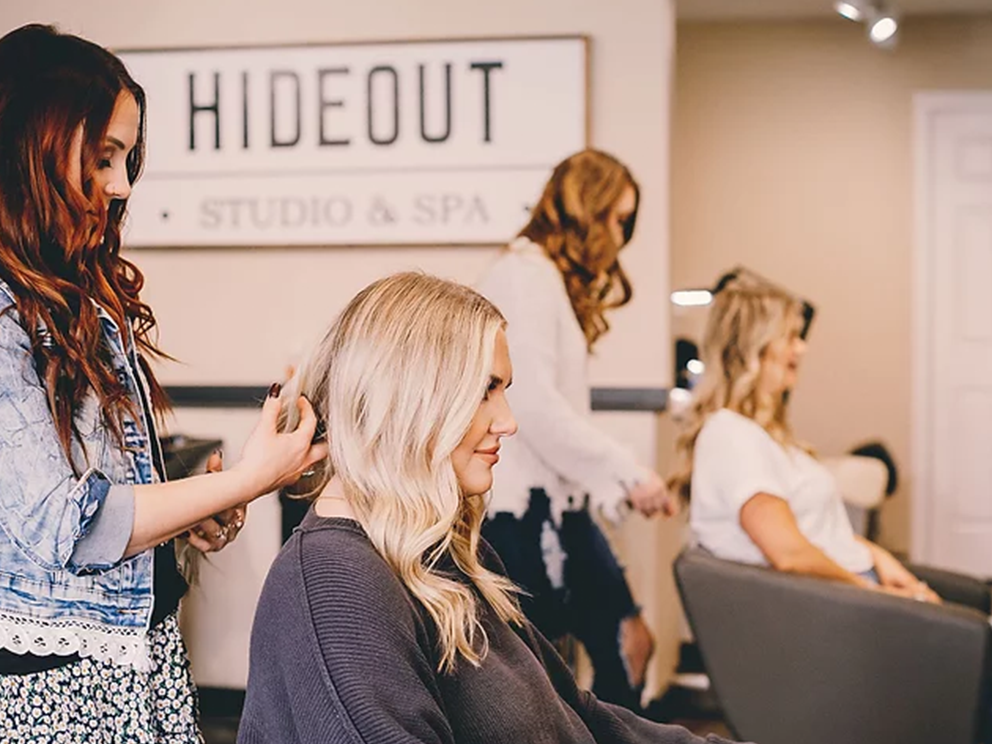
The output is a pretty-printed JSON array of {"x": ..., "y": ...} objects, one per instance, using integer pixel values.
[{"x": 792, "y": 154}]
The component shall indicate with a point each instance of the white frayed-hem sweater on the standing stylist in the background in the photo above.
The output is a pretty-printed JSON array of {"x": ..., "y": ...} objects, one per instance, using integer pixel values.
[{"x": 557, "y": 447}]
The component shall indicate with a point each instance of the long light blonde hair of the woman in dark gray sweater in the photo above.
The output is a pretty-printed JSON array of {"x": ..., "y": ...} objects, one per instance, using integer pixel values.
[{"x": 397, "y": 380}]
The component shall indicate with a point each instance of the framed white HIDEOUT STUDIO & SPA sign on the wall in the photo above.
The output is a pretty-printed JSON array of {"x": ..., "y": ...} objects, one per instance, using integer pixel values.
[{"x": 406, "y": 143}]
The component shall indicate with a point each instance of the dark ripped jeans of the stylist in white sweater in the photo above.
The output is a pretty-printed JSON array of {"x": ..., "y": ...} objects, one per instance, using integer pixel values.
[{"x": 595, "y": 597}]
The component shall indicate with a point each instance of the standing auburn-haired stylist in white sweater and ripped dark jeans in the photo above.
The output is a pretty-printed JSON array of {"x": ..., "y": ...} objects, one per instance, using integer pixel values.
[{"x": 555, "y": 283}]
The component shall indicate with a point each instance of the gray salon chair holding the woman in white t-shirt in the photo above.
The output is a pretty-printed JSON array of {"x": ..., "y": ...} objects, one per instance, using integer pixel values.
[{"x": 796, "y": 659}]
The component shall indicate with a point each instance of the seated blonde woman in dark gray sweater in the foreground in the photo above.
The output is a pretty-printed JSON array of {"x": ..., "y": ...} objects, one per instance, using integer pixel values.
[{"x": 385, "y": 618}]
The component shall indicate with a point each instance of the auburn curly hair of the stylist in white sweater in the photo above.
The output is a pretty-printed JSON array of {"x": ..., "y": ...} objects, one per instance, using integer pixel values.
[{"x": 570, "y": 222}]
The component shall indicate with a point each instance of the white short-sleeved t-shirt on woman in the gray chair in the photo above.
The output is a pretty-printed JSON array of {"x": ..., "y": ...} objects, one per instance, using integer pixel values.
[{"x": 734, "y": 460}]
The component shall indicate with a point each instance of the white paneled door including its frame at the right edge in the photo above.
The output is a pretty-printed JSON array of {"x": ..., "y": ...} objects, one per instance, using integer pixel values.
[{"x": 952, "y": 515}]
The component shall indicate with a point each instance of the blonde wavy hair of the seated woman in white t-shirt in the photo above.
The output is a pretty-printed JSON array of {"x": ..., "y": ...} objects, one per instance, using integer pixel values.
[{"x": 747, "y": 315}]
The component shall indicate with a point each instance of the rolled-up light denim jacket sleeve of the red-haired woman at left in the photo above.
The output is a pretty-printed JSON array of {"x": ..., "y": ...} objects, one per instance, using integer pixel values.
[{"x": 45, "y": 509}]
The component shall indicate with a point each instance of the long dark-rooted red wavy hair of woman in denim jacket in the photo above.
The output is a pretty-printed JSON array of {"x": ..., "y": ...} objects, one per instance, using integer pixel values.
[{"x": 60, "y": 244}]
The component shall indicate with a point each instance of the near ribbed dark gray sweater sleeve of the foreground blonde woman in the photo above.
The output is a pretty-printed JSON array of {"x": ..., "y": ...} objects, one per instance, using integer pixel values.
[{"x": 377, "y": 653}]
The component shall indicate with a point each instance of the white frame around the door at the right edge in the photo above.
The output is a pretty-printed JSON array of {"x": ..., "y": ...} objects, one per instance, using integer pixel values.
[{"x": 927, "y": 108}]
